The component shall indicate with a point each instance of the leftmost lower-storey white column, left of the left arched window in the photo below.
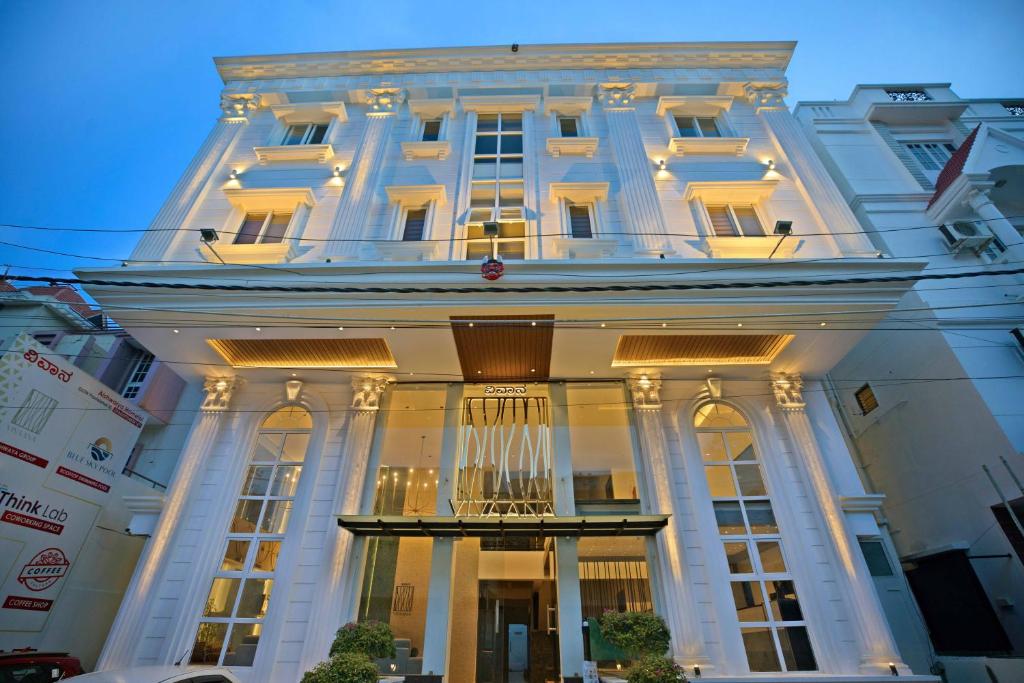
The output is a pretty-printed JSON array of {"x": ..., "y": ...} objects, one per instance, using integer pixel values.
[{"x": 129, "y": 626}]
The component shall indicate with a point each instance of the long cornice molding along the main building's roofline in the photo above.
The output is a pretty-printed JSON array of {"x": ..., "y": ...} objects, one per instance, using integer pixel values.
[{"x": 500, "y": 58}]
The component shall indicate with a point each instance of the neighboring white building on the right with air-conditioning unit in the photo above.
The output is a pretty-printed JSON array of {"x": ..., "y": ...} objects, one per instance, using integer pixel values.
[{"x": 935, "y": 178}]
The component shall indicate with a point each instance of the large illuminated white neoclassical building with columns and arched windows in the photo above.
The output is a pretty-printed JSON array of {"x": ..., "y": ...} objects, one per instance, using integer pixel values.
[{"x": 630, "y": 418}]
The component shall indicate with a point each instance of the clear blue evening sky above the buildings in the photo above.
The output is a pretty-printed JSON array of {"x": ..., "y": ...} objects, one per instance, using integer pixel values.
[{"x": 105, "y": 103}]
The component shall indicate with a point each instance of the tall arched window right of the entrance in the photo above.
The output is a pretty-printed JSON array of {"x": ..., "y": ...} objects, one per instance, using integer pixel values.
[{"x": 772, "y": 623}]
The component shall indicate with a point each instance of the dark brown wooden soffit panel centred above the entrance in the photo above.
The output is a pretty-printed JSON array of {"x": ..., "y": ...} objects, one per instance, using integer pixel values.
[{"x": 504, "y": 349}]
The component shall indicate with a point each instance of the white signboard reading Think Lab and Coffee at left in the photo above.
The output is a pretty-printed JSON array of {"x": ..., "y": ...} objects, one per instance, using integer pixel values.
[{"x": 65, "y": 439}]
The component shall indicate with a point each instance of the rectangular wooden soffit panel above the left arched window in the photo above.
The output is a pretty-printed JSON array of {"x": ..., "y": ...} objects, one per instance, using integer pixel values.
[{"x": 305, "y": 353}]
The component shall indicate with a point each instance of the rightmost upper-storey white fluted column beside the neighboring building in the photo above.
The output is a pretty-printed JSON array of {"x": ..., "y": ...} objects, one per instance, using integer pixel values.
[{"x": 805, "y": 169}]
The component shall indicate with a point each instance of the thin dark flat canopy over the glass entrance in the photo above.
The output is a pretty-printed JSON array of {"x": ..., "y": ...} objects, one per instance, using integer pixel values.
[{"x": 503, "y": 527}]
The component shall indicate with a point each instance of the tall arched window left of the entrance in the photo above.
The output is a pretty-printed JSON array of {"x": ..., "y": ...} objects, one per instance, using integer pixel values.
[{"x": 234, "y": 613}]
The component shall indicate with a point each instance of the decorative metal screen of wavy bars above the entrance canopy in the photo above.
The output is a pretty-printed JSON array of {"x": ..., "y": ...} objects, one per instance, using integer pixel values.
[{"x": 504, "y": 463}]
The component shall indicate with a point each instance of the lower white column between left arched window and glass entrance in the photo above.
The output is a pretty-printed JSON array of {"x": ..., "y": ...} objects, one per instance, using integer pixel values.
[{"x": 328, "y": 611}]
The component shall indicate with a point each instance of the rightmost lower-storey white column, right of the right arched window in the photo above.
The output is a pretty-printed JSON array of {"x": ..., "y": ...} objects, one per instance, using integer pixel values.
[{"x": 878, "y": 650}]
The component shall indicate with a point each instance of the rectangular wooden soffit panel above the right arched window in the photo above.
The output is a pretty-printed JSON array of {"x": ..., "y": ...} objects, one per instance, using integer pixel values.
[{"x": 637, "y": 351}]
